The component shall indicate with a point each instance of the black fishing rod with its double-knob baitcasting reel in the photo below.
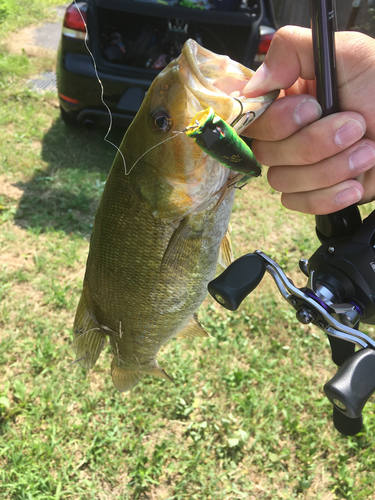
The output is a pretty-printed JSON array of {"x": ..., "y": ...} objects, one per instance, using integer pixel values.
[{"x": 340, "y": 289}]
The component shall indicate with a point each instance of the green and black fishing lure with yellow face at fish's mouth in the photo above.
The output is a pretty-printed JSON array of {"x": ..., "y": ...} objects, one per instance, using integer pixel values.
[{"x": 221, "y": 142}]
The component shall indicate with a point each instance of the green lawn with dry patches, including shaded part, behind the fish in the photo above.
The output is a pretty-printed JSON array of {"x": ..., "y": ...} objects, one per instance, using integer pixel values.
[{"x": 247, "y": 417}]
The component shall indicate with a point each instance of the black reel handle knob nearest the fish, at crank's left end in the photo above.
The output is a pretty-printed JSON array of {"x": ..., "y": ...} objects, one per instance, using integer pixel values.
[{"x": 240, "y": 278}]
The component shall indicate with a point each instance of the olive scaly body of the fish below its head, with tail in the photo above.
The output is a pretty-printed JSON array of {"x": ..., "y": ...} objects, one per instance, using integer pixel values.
[{"x": 145, "y": 278}]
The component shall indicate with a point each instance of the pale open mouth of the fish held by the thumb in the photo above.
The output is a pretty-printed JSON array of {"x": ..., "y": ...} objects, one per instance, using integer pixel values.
[{"x": 217, "y": 81}]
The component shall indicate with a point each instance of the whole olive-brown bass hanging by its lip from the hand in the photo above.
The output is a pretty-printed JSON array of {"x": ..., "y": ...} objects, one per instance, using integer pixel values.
[{"x": 161, "y": 227}]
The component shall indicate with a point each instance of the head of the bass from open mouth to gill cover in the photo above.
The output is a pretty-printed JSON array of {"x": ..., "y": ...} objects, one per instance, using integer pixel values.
[{"x": 171, "y": 173}]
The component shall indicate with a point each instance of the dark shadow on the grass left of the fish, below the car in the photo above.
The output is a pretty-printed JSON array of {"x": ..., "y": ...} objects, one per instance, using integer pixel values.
[{"x": 65, "y": 196}]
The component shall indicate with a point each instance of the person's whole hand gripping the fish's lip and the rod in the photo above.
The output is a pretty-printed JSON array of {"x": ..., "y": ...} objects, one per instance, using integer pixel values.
[{"x": 319, "y": 166}]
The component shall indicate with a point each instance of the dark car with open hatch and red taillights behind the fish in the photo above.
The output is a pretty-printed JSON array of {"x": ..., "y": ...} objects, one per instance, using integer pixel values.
[{"x": 131, "y": 41}]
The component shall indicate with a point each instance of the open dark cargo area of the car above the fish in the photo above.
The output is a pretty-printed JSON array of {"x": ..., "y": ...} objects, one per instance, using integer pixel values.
[{"x": 148, "y": 36}]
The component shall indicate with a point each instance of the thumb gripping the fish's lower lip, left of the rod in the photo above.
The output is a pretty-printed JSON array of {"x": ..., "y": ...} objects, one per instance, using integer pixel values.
[{"x": 289, "y": 57}]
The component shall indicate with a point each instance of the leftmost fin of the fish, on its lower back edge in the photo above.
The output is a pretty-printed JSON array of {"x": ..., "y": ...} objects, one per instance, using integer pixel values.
[{"x": 89, "y": 339}]
